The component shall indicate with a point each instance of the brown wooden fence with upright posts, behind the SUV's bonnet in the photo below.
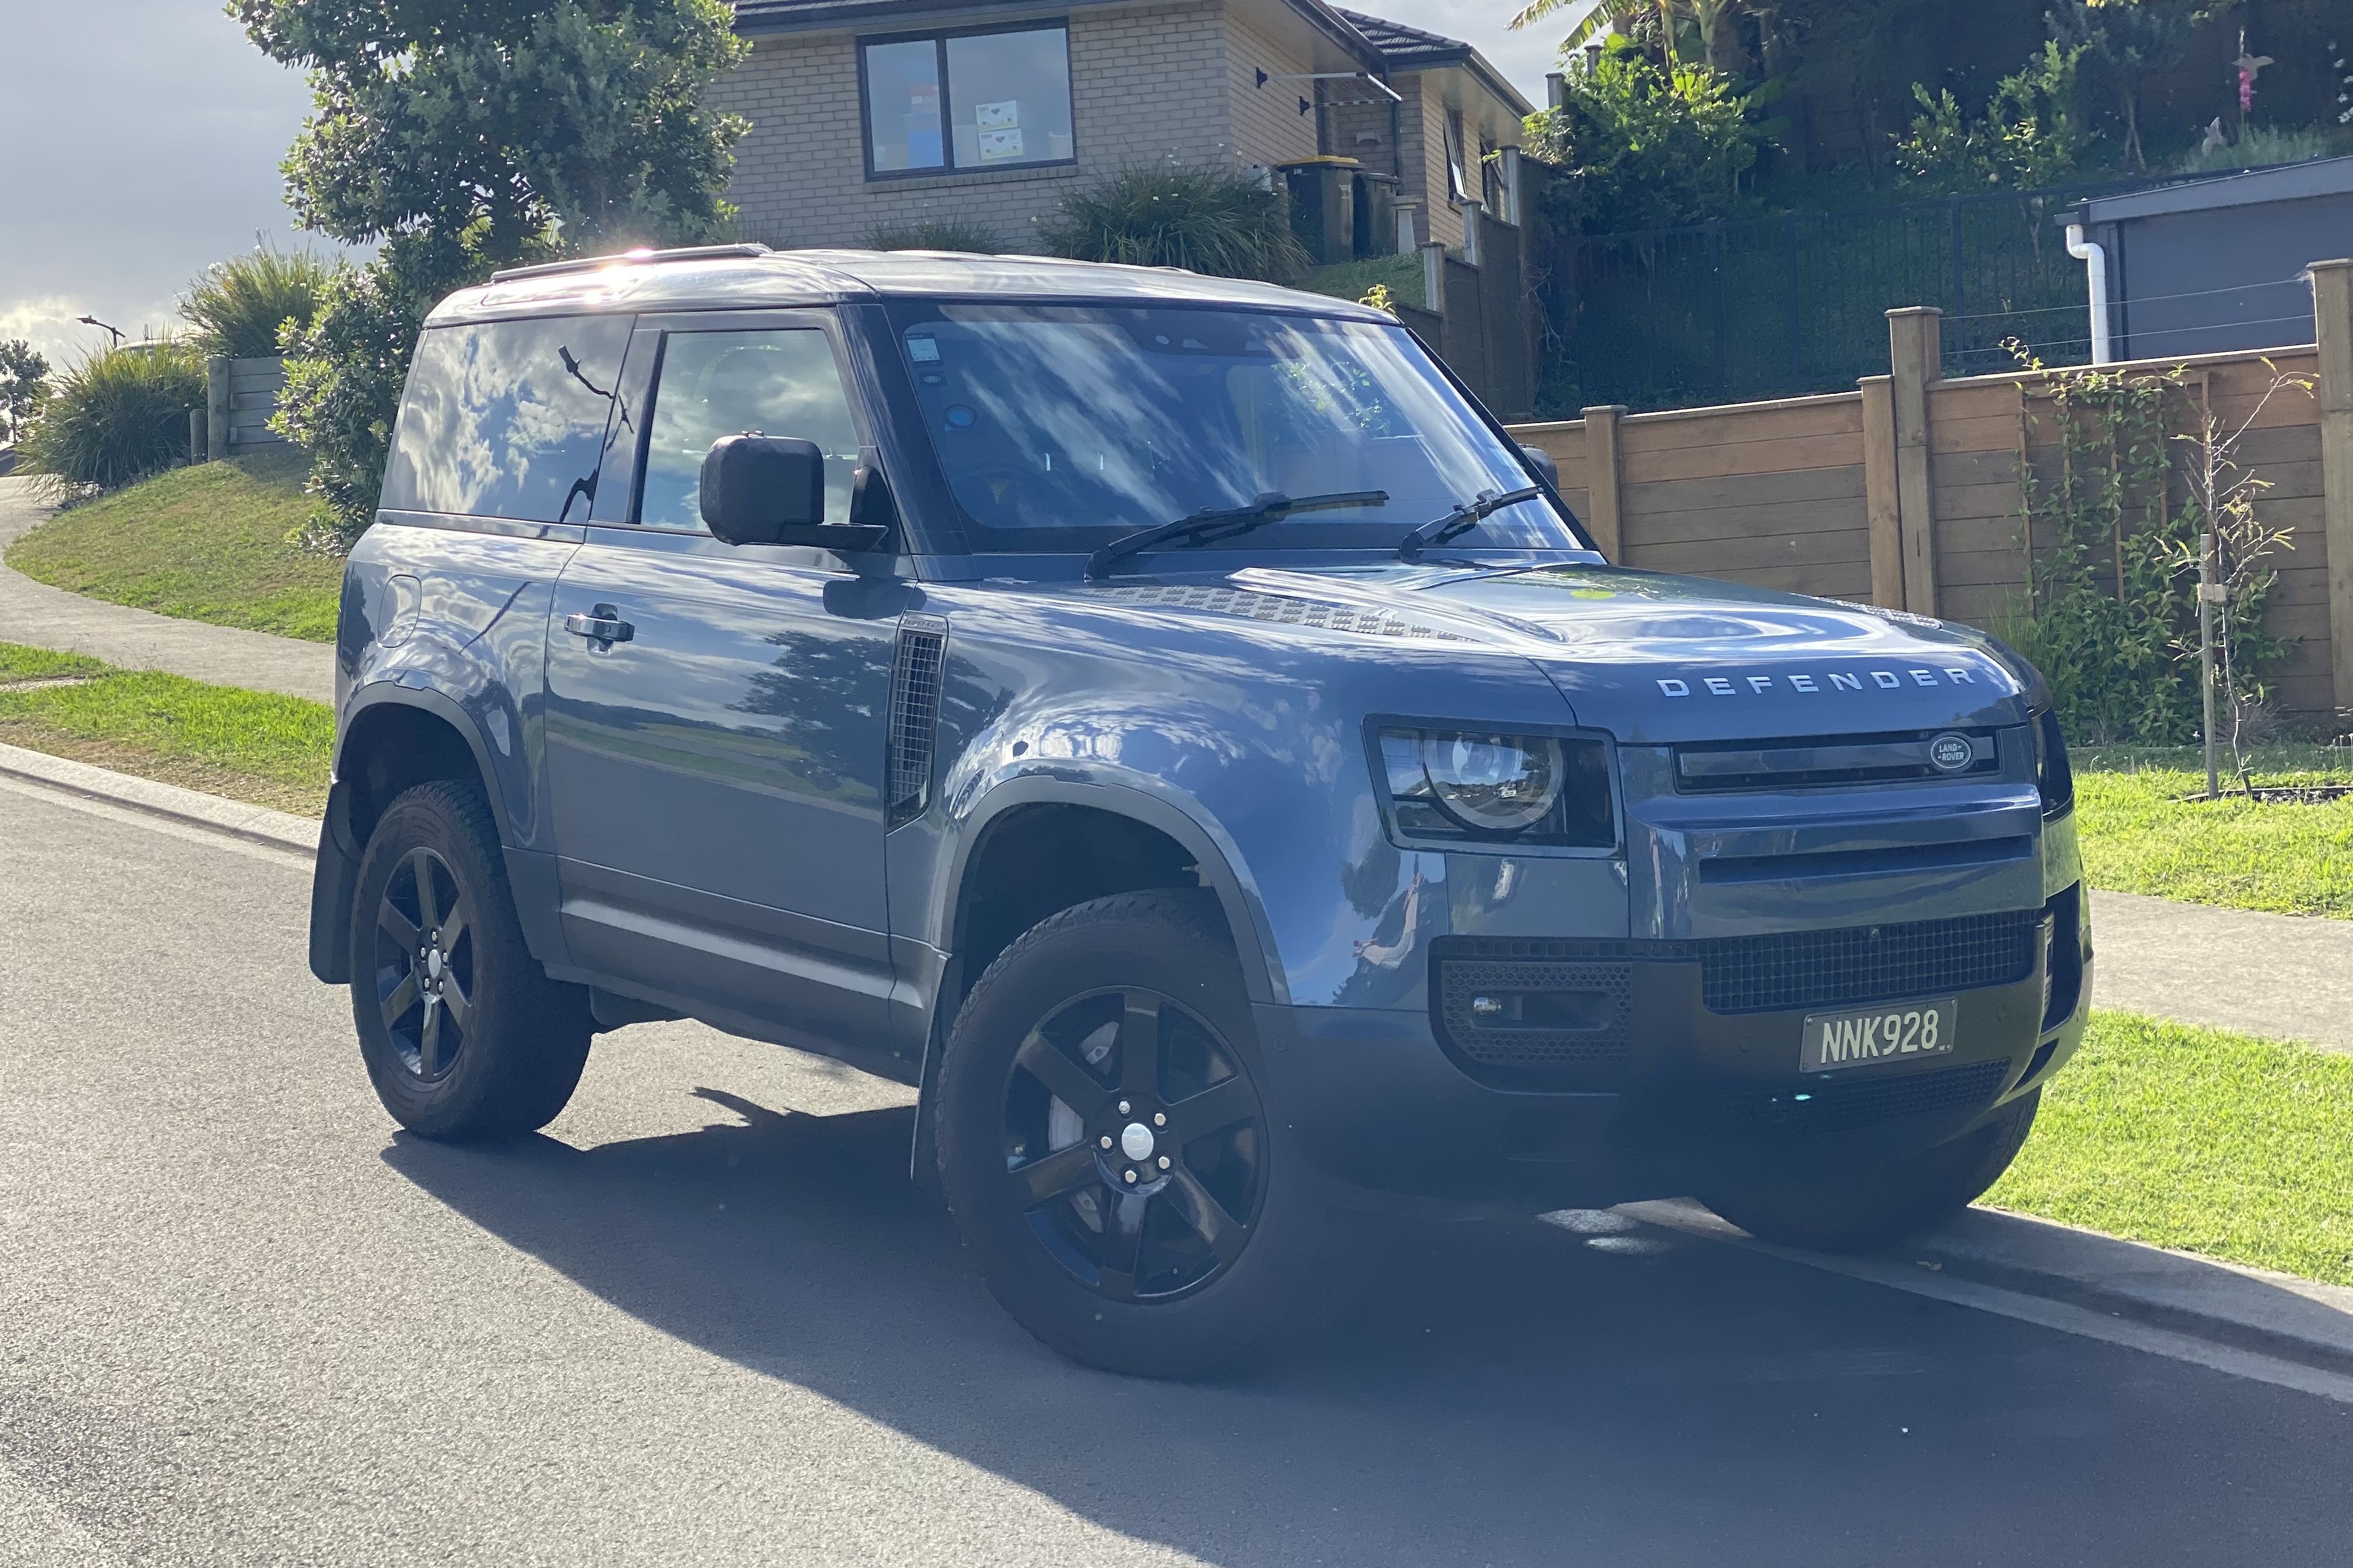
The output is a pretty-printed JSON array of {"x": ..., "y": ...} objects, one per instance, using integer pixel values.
[{"x": 1907, "y": 493}]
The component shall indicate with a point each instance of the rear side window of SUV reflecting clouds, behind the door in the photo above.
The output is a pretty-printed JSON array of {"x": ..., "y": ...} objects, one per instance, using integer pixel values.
[{"x": 507, "y": 420}]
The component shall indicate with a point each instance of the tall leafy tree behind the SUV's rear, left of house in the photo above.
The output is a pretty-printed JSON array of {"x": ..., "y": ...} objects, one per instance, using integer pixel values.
[{"x": 469, "y": 138}]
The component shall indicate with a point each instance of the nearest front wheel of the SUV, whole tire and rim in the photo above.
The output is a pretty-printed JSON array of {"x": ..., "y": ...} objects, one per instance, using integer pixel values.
[{"x": 1225, "y": 1240}]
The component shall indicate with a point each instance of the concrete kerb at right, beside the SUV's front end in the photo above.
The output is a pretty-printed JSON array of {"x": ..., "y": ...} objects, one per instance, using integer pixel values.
[{"x": 2253, "y": 1310}]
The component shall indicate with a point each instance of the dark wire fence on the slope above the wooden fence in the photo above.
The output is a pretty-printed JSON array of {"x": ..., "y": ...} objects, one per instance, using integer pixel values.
[{"x": 1797, "y": 305}]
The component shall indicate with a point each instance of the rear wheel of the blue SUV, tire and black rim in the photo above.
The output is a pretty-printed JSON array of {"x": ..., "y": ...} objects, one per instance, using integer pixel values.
[{"x": 462, "y": 1032}]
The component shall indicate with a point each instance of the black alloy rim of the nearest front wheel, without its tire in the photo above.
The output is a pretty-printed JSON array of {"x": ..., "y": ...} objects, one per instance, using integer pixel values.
[{"x": 1135, "y": 1145}]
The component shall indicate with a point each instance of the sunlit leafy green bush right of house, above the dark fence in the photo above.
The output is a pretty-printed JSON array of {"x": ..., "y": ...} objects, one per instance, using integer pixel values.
[{"x": 1646, "y": 147}]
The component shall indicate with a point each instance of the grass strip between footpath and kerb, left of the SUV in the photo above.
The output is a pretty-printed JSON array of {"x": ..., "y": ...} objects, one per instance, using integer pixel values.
[{"x": 222, "y": 740}]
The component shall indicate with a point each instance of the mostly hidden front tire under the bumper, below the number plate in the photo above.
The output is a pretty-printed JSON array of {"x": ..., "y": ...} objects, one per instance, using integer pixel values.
[{"x": 1884, "y": 1207}]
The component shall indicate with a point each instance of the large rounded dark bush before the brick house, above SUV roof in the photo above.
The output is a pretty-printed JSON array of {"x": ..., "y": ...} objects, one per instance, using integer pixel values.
[{"x": 1206, "y": 220}]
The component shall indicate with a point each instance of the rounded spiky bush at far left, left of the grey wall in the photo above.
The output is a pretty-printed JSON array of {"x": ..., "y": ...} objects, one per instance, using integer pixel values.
[{"x": 116, "y": 418}]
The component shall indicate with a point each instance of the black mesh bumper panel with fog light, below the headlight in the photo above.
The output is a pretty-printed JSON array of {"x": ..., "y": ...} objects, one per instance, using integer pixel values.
[{"x": 1545, "y": 1047}]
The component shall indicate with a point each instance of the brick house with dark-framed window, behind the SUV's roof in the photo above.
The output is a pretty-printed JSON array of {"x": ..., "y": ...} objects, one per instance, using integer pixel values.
[{"x": 874, "y": 114}]
